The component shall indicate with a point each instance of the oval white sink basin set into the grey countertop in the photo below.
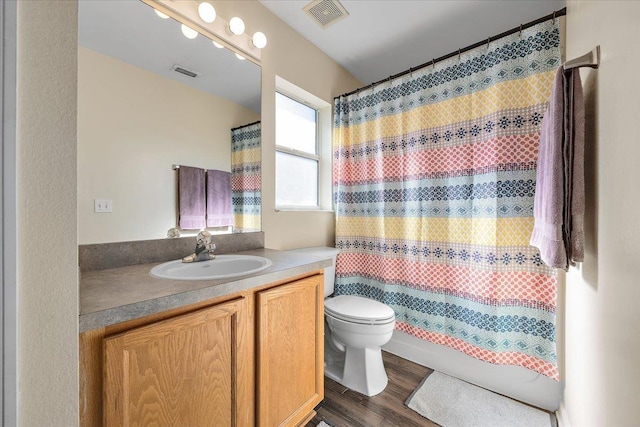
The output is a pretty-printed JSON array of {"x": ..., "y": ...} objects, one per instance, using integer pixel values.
[{"x": 223, "y": 267}]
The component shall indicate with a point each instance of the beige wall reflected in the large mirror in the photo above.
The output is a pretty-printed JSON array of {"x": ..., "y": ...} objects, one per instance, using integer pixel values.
[{"x": 127, "y": 144}]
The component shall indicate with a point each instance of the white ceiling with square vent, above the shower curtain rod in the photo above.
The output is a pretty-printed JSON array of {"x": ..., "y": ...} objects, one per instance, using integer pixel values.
[{"x": 381, "y": 38}]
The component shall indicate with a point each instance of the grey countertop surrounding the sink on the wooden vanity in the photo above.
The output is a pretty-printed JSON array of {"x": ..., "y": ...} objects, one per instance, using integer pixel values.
[{"x": 116, "y": 295}]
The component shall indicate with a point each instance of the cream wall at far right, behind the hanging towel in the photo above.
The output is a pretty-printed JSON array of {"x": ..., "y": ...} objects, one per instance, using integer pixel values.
[{"x": 602, "y": 341}]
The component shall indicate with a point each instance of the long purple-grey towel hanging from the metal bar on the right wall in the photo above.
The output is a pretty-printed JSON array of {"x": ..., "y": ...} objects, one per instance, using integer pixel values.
[{"x": 558, "y": 208}]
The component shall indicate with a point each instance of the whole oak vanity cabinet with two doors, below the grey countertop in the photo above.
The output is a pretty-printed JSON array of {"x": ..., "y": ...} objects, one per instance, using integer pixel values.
[{"x": 247, "y": 359}]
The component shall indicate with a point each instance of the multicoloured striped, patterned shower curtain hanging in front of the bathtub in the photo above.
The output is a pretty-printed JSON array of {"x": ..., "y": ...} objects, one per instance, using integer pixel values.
[{"x": 434, "y": 175}]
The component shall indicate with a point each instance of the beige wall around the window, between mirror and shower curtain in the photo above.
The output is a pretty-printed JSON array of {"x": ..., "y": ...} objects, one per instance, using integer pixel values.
[{"x": 295, "y": 59}]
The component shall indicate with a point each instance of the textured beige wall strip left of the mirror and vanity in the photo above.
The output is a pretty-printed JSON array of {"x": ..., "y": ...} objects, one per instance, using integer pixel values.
[{"x": 47, "y": 243}]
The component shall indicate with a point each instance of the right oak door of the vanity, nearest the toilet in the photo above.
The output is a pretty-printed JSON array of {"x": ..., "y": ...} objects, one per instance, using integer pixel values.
[{"x": 290, "y": 352}]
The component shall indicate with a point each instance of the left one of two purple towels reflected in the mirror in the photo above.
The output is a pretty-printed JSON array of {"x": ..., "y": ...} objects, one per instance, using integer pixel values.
[{"x": 191, "y": 197}]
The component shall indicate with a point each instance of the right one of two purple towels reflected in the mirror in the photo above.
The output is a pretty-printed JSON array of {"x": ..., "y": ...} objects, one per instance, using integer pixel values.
[{"x": 219, "y": 208}]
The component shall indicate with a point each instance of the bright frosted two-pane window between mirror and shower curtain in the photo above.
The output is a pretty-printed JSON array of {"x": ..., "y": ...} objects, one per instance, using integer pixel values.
[{"x": 297, "y": 157}]
